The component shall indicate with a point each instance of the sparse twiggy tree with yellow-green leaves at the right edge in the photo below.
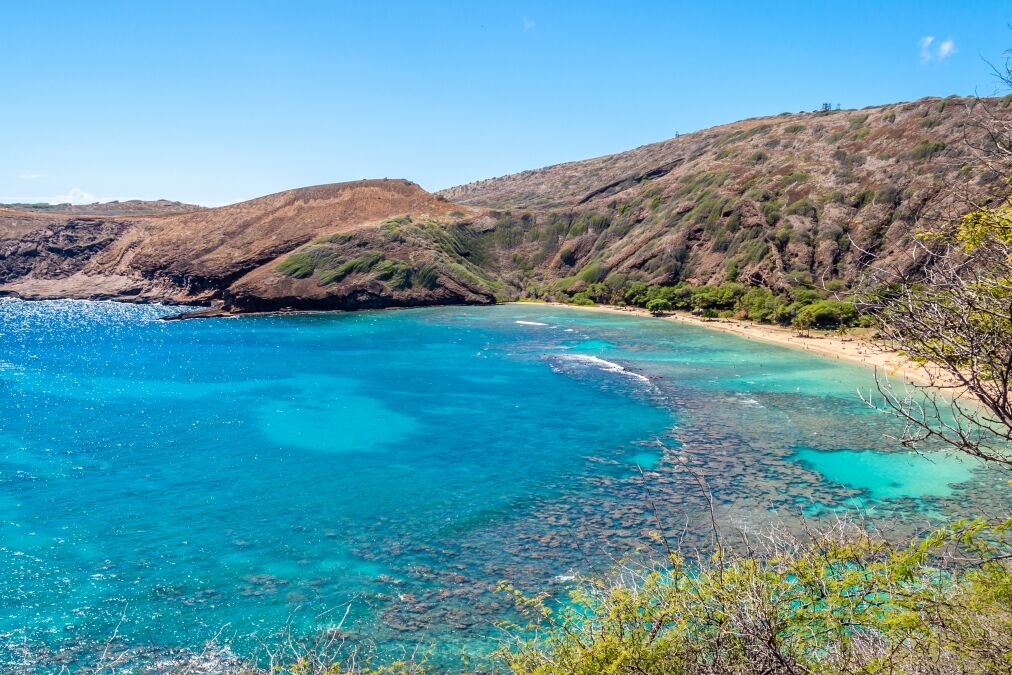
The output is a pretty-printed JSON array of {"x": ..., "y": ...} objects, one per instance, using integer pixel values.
[{"x": 954, "y": 314}]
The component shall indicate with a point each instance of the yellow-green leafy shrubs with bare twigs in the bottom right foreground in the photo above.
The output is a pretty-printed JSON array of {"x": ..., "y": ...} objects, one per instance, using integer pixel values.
[{"x": 838, "y": 603}]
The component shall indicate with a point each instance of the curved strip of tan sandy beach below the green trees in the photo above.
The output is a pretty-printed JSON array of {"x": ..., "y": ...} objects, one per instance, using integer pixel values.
[{"x": 863, "y": 352}]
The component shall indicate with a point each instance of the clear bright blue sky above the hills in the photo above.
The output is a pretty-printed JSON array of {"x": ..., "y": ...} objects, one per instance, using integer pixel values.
[{"x": 215, "y": 103}]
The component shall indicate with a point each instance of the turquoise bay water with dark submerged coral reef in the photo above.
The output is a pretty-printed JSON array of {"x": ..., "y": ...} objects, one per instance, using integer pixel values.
[{"x": 234, "y": 477}]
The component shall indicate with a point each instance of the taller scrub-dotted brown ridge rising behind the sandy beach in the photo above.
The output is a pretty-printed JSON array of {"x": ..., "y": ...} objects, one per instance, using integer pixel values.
[{"x": 768, "y": 201}]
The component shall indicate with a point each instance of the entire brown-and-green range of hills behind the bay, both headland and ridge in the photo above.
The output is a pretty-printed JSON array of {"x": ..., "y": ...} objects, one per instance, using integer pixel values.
[{"x": 793, "y": 201}]
